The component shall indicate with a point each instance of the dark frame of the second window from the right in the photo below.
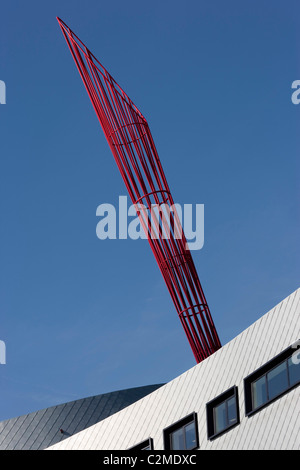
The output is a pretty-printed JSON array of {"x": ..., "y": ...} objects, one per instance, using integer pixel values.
[{"x": 232, "y": 392}]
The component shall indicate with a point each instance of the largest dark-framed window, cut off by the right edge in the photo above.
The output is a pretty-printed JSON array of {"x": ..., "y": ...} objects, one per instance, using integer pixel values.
[{"x": 271, "y": 381}]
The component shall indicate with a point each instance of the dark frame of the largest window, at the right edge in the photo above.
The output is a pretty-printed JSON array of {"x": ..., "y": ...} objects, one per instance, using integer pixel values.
[{"x": 263, "y": 371}]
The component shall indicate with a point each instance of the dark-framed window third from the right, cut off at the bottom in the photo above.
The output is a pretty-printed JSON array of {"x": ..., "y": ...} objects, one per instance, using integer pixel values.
[{"x": 182, "y": 435}]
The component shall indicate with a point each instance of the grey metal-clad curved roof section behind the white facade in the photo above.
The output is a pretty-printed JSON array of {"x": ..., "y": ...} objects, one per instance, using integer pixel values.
[{"x": 40, "y": 429}]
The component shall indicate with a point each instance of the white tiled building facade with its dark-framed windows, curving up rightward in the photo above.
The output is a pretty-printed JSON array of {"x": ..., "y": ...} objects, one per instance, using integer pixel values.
[{"x": 243, "y": 397}]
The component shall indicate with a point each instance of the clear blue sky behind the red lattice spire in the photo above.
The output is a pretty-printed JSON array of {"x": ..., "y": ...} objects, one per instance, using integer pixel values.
[{"x": 81, "y": 316}]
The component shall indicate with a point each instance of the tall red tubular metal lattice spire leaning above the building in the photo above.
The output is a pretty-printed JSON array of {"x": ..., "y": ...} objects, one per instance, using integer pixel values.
[{"x": 130, "y": 140}]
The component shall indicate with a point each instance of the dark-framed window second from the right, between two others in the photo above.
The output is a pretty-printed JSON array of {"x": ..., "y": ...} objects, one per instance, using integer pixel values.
[{"x": 222, "y": 413}]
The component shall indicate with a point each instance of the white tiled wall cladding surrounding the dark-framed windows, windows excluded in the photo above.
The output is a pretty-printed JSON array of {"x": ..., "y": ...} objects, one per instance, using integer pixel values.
[{"x": 274, "y": 427}]
